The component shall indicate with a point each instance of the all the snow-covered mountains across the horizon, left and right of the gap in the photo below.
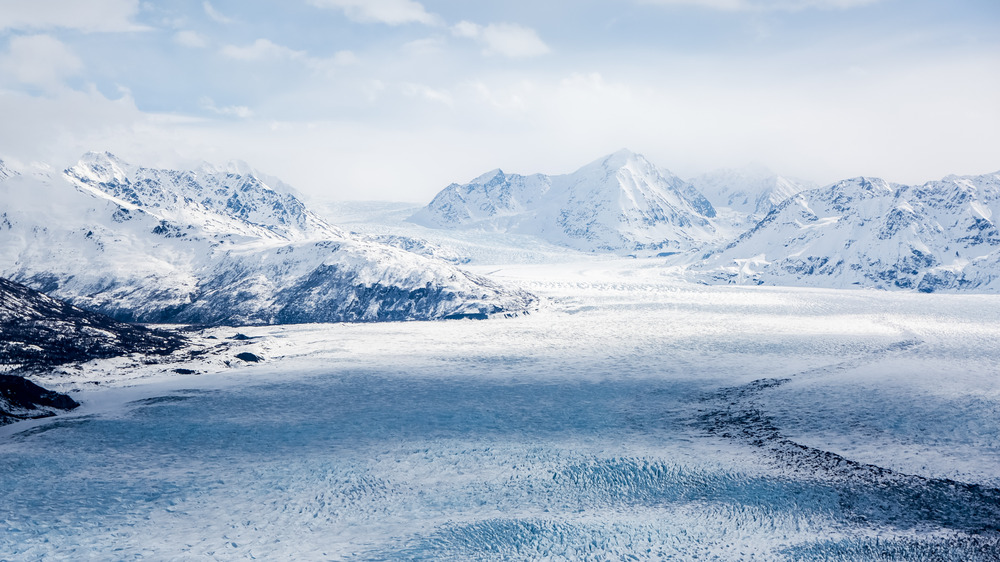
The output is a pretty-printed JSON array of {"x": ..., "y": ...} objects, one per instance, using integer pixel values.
[{"x": 228, "y": 245}]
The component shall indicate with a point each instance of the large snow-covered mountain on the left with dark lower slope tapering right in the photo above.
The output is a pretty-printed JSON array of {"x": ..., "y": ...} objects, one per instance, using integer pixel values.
[{"x": 215, "y": 246}]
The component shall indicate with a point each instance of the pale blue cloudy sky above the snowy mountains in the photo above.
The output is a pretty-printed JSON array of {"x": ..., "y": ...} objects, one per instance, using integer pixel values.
[{"x": 395, "y": 99}]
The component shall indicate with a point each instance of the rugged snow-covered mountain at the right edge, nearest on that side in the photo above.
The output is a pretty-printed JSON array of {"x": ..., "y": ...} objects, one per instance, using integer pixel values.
[{"x": 867, "y": 232}]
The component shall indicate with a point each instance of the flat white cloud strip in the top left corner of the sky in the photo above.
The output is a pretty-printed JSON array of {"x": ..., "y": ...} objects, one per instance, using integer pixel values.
[{"x": 90, "y": 16}]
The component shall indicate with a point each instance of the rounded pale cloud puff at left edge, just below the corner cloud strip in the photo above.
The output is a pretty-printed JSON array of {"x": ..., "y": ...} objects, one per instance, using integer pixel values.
[{"x": 39, "y": 60}]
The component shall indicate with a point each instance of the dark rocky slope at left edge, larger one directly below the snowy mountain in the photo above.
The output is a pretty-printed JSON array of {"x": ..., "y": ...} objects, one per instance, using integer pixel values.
[{"x": 37, "y": 330}]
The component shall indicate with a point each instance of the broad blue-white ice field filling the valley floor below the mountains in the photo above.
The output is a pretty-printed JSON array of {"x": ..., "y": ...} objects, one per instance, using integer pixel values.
[{"x": 634, "y": 417}]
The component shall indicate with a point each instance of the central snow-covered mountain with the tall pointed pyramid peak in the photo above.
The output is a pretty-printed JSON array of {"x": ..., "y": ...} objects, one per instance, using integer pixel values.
[{"x": 619, "y": 203}]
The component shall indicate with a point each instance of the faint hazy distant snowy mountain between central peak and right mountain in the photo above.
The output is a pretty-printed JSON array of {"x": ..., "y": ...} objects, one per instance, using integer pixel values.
[{"x": 749, "y": 193}]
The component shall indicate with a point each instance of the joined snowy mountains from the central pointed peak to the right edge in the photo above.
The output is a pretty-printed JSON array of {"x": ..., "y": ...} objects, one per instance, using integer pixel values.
[{"x": 749, "y": 225}]
